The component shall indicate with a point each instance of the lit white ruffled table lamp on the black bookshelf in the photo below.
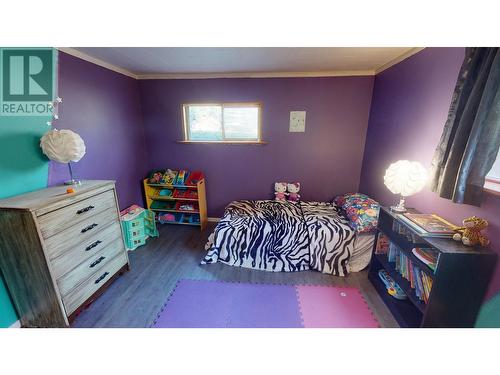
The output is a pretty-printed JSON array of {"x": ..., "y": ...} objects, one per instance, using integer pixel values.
[{"x": 405, "y": 178}]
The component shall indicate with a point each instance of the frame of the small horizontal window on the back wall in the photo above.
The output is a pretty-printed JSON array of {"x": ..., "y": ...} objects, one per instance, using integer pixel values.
[{"x": 223, "y": 105}]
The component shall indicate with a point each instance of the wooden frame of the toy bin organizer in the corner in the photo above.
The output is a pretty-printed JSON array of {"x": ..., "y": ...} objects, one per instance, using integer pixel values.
[{"x": 152, "y": 195}]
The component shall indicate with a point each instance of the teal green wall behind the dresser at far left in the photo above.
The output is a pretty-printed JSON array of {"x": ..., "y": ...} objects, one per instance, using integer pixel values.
[{"x": 22, "y": 168}]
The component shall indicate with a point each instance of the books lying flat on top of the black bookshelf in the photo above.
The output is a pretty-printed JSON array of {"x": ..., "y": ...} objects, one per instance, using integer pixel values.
[{"x": 428, "y": 225}]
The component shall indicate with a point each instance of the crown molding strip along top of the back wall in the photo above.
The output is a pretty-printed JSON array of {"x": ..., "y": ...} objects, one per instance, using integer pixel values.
[{"x": 333, "y": 73}]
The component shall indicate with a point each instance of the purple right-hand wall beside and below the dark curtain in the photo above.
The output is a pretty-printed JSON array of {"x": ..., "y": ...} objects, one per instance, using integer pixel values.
[{"x": 409, "y": 109}]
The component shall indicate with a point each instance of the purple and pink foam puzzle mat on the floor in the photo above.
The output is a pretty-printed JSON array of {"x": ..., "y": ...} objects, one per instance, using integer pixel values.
[{"x": 219, "y": 304}]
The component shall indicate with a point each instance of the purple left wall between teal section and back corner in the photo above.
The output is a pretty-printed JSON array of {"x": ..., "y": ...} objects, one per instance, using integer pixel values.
[{"x": 104, "y": 108}]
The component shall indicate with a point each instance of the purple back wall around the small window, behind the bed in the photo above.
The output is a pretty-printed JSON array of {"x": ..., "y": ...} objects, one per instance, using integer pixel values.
[{"x": 326, "y": 159}]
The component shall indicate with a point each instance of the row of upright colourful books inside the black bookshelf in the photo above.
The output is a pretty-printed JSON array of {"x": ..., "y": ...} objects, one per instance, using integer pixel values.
[{"x": 419, "y": 280}]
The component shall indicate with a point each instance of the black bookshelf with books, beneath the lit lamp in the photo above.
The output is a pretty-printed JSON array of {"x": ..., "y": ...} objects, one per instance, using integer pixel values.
[{"x": 459, "y": 284}]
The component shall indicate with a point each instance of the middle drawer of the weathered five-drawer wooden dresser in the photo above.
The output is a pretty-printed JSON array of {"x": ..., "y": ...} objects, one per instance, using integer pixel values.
[{"x": 86, "y": 249}]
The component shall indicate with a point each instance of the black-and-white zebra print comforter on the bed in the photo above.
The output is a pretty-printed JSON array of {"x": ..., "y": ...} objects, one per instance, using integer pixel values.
[{"x": 282, "y": 236}]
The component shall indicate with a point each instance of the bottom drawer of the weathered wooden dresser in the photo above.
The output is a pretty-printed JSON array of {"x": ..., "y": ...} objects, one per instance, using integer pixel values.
[{"x": 81, "y": 293}]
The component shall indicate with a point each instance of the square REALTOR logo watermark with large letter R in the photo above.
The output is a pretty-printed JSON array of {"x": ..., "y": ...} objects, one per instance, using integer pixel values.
[{"x": 27, "y": 81}]
